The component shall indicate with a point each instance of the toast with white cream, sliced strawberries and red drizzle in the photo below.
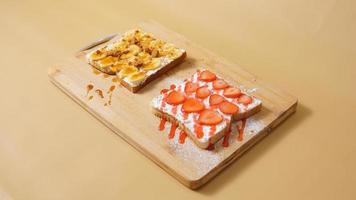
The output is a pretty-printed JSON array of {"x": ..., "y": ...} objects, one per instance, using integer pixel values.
[{"x": 204, "y": 106}]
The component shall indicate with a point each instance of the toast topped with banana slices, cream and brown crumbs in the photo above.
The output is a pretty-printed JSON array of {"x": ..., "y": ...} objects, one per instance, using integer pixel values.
[{"x": 136, "y": 58}]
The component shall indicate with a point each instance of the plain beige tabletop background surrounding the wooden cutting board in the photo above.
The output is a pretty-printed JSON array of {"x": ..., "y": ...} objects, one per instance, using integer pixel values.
[{"x": 50, "y": 148}]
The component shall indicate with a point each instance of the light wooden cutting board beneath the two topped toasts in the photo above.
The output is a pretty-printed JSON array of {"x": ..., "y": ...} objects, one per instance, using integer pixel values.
[{"x": 129, "y": 115}]
